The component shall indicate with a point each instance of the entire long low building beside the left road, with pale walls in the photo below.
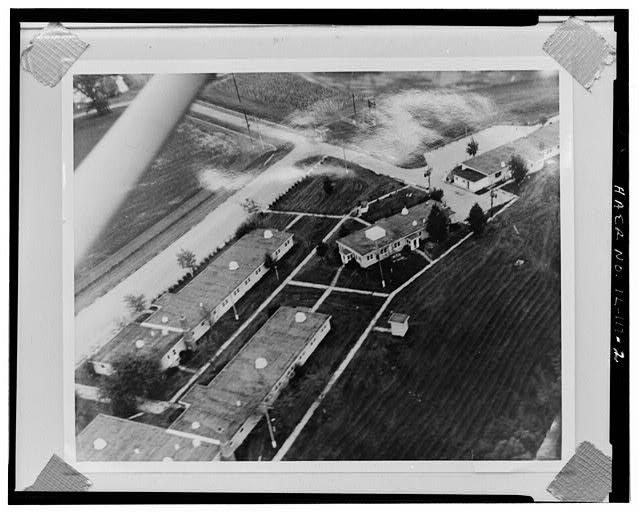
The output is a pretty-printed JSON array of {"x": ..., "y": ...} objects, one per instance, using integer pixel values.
[{"x": 176, "y": 321}]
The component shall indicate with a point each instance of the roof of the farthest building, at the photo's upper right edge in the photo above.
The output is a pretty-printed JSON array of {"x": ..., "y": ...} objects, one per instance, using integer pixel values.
[{"x": 529, "y": 147}]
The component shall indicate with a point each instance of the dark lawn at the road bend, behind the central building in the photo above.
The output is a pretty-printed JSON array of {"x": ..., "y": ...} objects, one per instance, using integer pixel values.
[{"x": 348, "y": 189}]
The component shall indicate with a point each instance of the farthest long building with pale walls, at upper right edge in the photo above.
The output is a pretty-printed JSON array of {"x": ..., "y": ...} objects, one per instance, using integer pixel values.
[{"x": 492, "y": 167}]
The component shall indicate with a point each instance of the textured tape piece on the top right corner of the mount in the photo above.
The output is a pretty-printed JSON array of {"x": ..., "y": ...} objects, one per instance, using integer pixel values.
[{"x": 580, "y": 50}]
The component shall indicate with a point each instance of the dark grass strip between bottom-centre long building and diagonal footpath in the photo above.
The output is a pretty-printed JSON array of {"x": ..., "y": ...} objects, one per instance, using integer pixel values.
[{"x": 349, "y": 317}]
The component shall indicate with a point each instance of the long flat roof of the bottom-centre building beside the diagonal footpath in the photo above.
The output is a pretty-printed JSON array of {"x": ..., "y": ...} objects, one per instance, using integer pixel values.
[{"x": 219, "y": 409}]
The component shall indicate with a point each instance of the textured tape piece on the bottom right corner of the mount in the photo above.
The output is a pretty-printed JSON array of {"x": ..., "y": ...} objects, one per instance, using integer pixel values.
[{"x": 585, "y": 478}]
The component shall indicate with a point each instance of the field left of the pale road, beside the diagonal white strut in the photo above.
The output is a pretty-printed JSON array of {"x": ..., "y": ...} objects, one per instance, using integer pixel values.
[{"x": 200, "y": 168}]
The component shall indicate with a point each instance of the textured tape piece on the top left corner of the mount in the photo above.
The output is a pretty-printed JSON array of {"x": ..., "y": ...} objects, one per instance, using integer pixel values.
[{"x": 51, "y": 53}]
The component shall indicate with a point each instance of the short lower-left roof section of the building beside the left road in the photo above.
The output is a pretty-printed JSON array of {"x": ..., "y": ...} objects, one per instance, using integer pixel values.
[{"x": 137, "y": 340}]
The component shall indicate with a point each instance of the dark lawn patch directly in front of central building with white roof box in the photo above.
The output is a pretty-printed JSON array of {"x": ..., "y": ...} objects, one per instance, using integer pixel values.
[{"x": 396, "y": 270}]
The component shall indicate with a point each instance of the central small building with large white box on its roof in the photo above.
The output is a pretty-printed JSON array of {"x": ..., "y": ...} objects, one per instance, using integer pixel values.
[{"x": 389, "y": 235}]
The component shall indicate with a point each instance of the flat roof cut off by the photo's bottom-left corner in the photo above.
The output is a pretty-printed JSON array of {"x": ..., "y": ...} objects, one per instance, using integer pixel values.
[{"x": 126, "y": 440}]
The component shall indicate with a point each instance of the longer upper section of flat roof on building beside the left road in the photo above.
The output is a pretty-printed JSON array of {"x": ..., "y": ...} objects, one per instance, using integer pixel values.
[{"x": 213, "y": 284}]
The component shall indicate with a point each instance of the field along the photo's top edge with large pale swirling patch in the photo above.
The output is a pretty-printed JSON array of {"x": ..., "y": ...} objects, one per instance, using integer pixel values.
[{"x": 413, "y": 113}]
